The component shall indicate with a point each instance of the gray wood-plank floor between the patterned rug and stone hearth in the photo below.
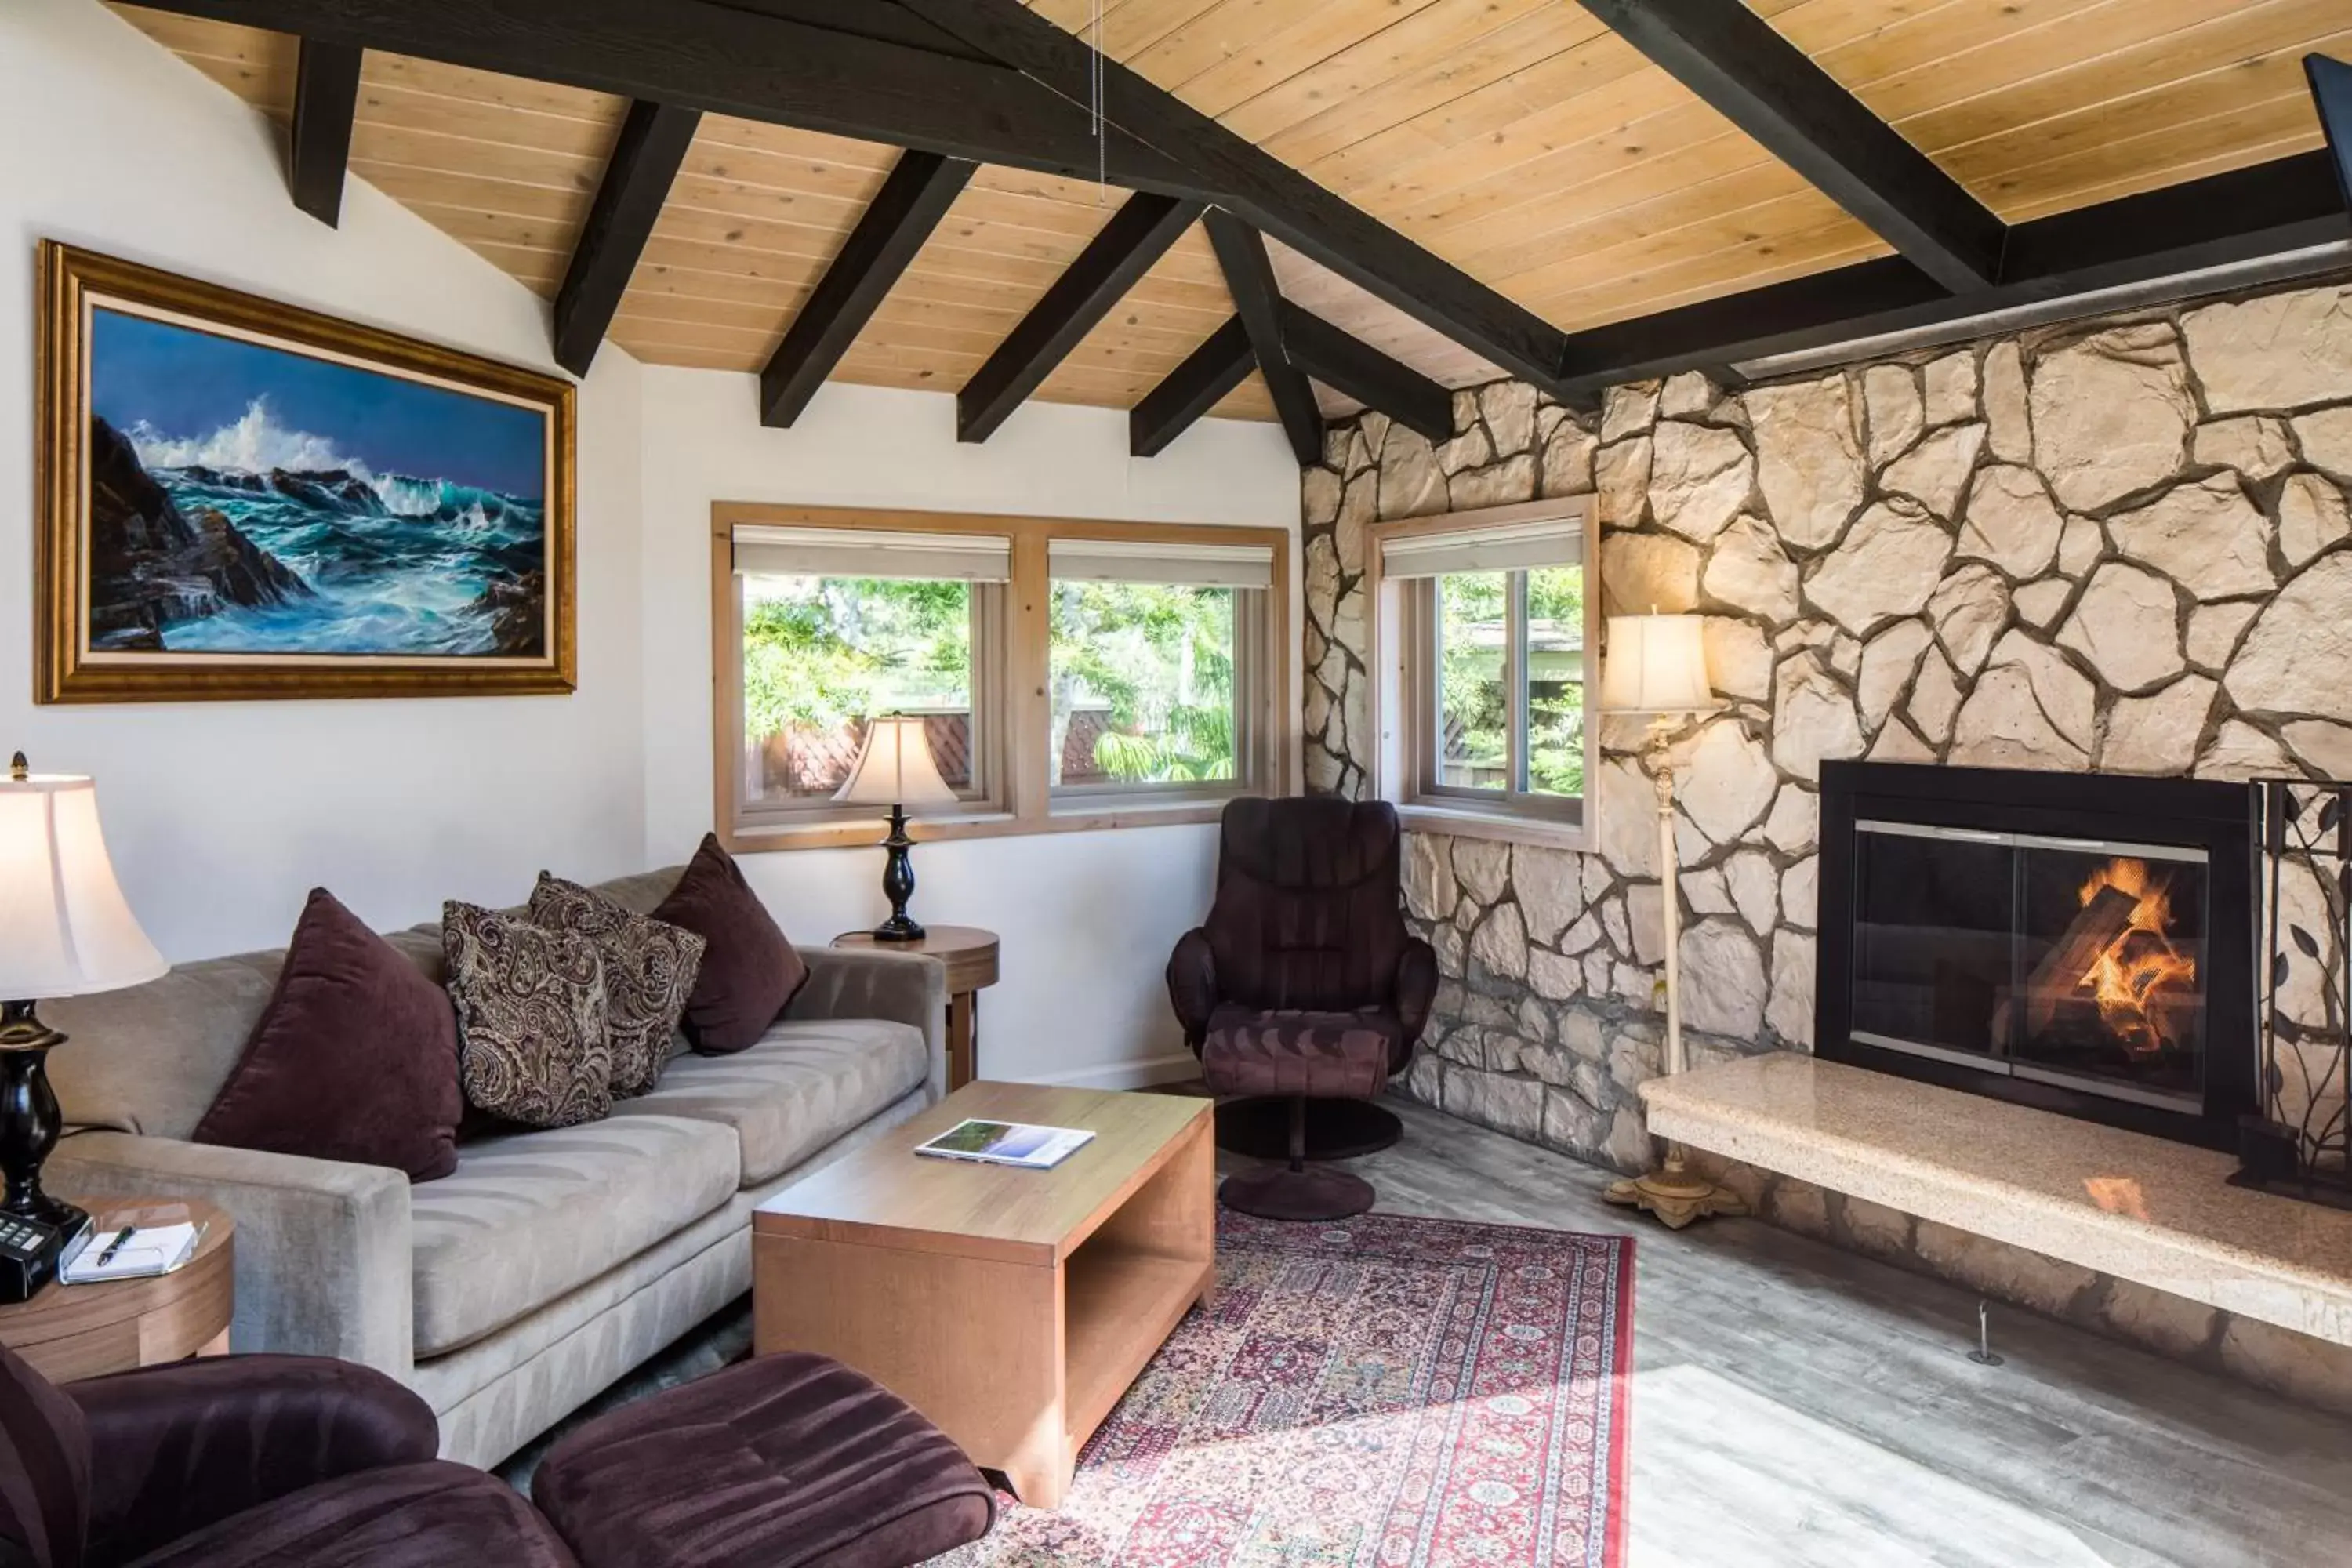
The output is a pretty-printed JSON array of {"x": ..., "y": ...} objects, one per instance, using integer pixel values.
[{"x": 1800, "y": 1405}]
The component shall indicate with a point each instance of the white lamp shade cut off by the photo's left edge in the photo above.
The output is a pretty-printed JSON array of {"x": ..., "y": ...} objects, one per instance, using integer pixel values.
[{"x": 65, "y": 927}]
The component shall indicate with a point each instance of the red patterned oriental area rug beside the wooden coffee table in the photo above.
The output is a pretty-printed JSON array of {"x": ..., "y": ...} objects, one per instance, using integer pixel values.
[{"x": 1382, "y": 1393}]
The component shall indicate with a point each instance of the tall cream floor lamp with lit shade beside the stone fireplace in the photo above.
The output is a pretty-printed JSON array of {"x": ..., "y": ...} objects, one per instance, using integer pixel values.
[{"x": 1659, "y": 669}]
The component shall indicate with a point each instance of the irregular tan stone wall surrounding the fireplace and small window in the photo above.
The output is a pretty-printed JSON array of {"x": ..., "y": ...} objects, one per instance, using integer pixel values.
[{"x": 2116, "y": 547}]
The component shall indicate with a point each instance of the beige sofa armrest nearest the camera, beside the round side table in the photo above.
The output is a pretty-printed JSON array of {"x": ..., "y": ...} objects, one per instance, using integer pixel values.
[{"x": 323, "y": 1247}]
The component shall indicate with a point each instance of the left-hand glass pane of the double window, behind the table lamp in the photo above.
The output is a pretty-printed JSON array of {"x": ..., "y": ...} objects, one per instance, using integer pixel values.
[{"x": 824, "y": 655}]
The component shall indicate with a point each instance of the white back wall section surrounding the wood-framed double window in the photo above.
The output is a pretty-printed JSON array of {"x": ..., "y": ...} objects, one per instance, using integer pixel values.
[{"x": 1088, "y": 918}]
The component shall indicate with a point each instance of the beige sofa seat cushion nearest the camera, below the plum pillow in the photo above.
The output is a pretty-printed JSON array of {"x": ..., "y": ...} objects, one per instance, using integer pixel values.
[{"x": 530, "y": 1217}]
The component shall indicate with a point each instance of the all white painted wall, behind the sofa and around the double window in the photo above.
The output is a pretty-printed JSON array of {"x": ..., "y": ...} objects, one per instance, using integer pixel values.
[{"x": 225, "y": 815}]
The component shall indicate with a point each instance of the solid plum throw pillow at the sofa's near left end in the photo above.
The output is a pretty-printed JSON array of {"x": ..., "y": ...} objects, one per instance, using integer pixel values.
[{"x": 354, "y": 1057}]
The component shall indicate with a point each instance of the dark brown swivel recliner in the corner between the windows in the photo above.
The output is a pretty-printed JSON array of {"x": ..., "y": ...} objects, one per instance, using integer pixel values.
[{"x": 1304, "y": 993}]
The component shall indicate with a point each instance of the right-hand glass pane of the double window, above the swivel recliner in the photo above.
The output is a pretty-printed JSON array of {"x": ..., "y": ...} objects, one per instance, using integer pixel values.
[{"x": 1142, "y": 683}]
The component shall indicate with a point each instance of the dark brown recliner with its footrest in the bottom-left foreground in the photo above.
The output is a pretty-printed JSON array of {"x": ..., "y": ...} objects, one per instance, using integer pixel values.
[{"x": 789, "y": 1461}]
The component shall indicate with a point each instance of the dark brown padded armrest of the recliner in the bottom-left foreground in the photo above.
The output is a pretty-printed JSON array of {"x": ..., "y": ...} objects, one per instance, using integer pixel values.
[{"x": 180, "y": 1447}]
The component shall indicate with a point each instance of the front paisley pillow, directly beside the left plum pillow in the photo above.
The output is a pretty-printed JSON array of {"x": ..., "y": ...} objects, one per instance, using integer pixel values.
[{"x": 530, "y": 1019}]
